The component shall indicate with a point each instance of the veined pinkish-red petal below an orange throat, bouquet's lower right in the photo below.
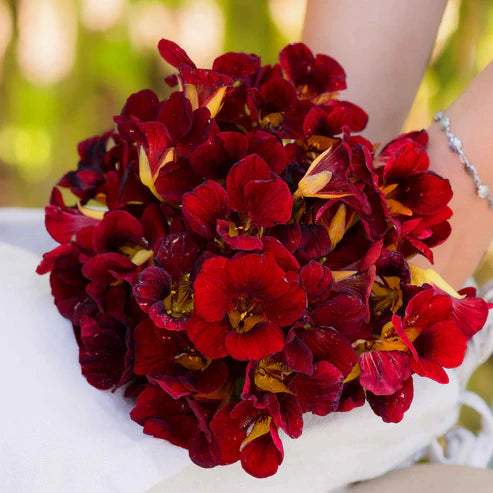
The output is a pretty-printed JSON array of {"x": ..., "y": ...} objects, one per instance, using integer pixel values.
[{"x": 383, "y": 372}]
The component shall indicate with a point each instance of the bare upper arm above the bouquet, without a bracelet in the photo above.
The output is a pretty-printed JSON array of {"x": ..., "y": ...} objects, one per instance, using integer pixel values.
[{"x": 384, "y": 47}]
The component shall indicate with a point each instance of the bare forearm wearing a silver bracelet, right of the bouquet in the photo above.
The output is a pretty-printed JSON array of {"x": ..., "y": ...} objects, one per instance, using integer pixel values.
[{"x": 472, "y": 223}]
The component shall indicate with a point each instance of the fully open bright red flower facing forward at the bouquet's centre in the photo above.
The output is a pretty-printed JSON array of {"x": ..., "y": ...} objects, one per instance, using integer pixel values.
[{"x": 243, "y": 302}]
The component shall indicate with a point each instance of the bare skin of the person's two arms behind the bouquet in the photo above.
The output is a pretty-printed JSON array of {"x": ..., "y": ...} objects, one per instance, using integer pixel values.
[{"x": 385, "y": 62}]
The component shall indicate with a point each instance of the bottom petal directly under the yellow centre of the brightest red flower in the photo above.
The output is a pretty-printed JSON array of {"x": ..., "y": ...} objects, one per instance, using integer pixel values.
[{"x": 263, "y": 340}]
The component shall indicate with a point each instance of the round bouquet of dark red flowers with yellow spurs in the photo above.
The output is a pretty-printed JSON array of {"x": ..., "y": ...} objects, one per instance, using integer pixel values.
[{"x": 236, "y": 256}]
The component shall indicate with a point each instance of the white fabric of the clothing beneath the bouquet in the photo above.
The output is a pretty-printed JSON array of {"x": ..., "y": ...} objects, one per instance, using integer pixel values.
[{"x": 59, "y": 434}]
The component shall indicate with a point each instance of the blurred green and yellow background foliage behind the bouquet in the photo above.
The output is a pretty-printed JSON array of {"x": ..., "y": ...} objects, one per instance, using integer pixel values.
[{"x": 67, "y": 66}]
